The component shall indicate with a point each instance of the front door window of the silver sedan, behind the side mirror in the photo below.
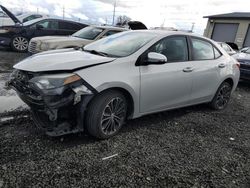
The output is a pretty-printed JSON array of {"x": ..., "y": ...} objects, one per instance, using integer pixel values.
[{"x": 174, "y": 48}]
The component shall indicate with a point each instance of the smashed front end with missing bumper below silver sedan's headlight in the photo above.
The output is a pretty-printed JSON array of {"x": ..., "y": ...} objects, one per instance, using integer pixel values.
[{"x": 56, "y": 111}]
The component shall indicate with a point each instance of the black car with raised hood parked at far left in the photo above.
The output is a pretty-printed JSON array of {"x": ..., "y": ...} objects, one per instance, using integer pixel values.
[{"x": 17, "y": 36}]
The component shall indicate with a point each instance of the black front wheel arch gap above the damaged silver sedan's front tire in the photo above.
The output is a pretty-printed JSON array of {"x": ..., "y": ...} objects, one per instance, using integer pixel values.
[{"x": 127, "y": 95}]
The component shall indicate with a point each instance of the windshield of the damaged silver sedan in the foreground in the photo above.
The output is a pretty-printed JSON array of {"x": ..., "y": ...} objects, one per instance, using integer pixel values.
[{"x": 121, "y": 44}]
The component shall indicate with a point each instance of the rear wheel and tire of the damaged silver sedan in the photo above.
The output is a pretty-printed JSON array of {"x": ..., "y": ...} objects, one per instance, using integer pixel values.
[{"x": 222, "y": 96}]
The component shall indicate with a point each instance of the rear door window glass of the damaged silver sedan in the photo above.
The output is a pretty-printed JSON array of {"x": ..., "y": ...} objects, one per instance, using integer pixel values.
[{"x": 202, "y": 50}]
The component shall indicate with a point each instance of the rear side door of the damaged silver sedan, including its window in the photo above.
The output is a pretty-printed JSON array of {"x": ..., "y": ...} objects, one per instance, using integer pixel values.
[{"x": 207, "y": 69}]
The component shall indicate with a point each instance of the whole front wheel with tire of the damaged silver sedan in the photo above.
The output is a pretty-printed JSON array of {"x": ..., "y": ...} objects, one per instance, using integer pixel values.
[{"x": 106, "y": 114}]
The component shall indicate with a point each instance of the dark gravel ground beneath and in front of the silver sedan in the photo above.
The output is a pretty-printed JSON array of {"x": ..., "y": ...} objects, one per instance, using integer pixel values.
[{"x": 189, "y": 147}]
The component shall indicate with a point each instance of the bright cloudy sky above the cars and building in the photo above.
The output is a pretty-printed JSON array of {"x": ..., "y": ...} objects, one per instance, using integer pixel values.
[{"x": 172, "y": 13}]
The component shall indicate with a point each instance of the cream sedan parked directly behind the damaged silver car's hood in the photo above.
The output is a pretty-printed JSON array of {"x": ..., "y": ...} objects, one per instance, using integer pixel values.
[{"x": 78, "y": 39}]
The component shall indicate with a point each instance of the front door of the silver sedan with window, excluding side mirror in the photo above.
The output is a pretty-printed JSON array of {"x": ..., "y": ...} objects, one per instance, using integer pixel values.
[{"x": 168, "y": 85}]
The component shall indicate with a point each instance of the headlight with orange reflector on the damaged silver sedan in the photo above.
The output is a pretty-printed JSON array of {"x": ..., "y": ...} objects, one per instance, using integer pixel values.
[{"x": 54, "y": 81}]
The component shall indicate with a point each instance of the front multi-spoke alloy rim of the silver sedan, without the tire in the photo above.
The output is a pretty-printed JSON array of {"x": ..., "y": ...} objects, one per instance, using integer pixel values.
[{"x": 113, "y": 116}]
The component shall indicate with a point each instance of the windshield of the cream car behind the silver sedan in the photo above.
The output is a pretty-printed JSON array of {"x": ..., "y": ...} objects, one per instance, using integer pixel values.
[{"x": 89, "y": 33}]
